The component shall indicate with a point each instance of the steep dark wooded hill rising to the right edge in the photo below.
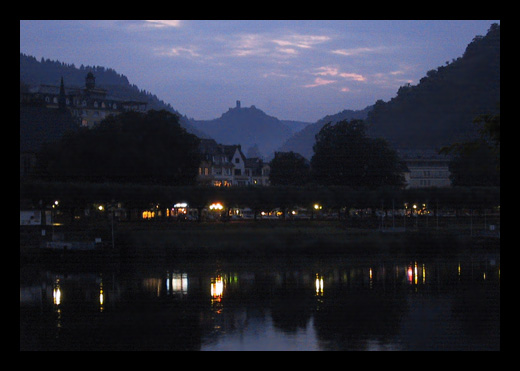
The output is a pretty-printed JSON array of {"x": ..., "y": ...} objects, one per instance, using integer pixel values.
[{"x": 440, "y": 109}]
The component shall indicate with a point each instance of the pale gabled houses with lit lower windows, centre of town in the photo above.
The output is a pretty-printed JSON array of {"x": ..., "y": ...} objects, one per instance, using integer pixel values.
[{"x": 226, "y": 166}]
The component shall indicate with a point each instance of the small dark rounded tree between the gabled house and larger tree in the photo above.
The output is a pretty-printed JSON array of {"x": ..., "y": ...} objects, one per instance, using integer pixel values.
[{"x": 289, "y": 168}]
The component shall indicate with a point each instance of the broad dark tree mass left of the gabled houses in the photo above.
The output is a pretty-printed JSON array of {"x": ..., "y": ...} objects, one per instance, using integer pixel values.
[{"x": 133, "y": 147}]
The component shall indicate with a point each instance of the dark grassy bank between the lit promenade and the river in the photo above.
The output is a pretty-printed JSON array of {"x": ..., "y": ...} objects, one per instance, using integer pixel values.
[{"x": 257, "y": 239}]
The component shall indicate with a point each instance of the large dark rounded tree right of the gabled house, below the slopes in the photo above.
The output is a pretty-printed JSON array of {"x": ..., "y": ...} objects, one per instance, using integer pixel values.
[{"x": 345, "y": 155}]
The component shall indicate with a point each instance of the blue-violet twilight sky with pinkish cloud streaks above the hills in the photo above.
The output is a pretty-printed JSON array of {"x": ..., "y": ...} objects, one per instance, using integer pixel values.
[{"x": 293, "y": 70}]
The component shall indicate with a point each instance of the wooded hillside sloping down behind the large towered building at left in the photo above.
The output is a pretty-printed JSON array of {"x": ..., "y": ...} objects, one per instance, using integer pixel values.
[{"x": 35, "y": 72}]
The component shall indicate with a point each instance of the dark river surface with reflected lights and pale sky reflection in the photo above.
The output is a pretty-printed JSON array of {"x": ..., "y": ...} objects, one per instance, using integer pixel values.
[{"x": 290, "y": 303}]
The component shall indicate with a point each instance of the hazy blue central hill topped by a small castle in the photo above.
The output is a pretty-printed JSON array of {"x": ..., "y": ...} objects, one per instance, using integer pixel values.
[{"x": 248, "y": 126}]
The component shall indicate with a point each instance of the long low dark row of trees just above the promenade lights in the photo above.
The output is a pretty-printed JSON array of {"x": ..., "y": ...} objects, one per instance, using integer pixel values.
[{"x": 333, "y": 198}]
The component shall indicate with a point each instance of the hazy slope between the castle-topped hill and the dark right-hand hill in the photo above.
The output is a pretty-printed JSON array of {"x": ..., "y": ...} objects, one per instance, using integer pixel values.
[{"x": 303, "y": 141}]
